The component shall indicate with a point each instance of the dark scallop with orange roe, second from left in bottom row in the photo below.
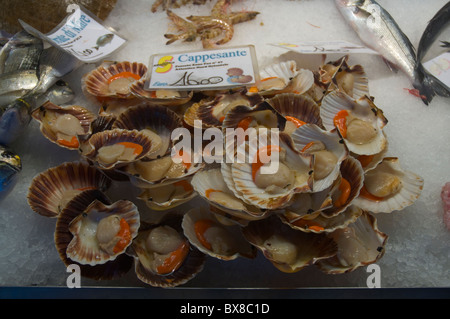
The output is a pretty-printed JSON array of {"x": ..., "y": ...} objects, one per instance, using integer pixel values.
[{"x": 163, "y": 255}]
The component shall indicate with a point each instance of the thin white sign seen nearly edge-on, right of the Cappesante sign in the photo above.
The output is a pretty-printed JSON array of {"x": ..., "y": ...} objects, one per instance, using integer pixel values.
[{"x": 325, "y": 47}]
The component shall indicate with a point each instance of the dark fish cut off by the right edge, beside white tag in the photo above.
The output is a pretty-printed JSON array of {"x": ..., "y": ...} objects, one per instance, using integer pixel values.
[{"x": 438, "y": 25}]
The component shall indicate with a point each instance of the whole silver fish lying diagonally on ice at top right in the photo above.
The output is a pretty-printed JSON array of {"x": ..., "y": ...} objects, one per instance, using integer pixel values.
[{"x": 378, "y": 30}]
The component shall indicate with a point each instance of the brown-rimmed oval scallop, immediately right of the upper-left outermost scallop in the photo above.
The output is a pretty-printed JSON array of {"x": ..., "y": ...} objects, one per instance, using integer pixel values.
[{"x": 116, "y": 147}]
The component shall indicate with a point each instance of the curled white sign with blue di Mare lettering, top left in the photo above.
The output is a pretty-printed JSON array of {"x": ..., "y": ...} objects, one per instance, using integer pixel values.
[{"x": 82, "y": 36}]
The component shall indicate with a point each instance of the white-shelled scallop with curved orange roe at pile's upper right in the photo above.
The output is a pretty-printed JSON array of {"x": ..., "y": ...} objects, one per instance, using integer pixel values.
[{"x": 359, "y": 122}]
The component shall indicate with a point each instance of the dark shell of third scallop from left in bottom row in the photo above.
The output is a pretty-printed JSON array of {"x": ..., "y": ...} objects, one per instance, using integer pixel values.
[{"x": 230, "y": 242}]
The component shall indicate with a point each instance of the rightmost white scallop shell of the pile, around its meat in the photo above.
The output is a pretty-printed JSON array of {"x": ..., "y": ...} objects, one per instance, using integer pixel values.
[{"x": 410, "y": 189}]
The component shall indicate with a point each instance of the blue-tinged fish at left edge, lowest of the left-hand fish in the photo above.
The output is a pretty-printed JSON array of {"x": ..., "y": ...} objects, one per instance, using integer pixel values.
[{"x": 10, "y": 167}]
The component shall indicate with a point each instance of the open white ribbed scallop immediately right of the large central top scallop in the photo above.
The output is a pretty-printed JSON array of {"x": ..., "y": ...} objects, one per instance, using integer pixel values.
[{"x": 331, "y": 141}]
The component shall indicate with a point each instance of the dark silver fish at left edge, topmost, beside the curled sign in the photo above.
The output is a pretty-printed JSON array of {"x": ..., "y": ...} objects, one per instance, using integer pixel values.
[{"x": 21, "y": 52}]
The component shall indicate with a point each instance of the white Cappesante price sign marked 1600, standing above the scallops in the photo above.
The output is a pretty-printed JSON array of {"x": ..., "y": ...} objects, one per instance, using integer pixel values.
[{"x": 203, "y": 70}]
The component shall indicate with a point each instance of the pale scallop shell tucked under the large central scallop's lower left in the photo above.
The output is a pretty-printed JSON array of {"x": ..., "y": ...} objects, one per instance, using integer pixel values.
[{"x": 211, "y": 180}]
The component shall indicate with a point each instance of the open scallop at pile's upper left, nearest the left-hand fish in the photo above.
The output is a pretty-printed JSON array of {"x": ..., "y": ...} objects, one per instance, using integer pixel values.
[{"x": 63, "y": 125}]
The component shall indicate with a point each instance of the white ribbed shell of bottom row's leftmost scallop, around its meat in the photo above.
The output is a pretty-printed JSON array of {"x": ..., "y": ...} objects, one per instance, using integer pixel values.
[{"x": 84, "y": 248}]
